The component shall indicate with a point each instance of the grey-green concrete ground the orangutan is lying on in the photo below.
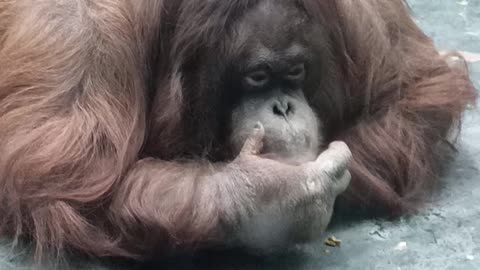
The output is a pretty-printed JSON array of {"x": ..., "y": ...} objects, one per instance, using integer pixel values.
[{"x": 445, "y": 236}]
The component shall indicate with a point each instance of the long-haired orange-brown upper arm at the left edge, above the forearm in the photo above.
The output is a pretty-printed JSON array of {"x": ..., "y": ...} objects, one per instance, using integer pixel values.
[{"x": 71, "y": 115}]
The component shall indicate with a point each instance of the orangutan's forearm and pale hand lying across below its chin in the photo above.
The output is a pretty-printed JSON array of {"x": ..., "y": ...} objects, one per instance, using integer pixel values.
[{"x": 251, "y": 202}]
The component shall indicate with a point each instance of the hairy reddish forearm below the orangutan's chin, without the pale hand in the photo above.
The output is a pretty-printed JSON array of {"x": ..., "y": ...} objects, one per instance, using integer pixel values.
[{"x": 169, "y": 204}]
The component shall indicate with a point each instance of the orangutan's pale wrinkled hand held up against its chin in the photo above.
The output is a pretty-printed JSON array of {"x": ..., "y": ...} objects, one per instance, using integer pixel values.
[{"x": 300, "y": 206}]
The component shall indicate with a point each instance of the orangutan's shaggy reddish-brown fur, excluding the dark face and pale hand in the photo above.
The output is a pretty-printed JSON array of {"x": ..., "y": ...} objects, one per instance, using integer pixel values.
[{"x": 90, "y": 88}]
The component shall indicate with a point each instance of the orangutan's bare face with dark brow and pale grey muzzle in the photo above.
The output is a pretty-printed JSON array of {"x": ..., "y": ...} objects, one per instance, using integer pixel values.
[{"x": 273, "y": 67}]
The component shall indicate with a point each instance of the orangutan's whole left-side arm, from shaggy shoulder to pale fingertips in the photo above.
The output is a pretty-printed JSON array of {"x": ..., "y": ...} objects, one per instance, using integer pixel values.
[{"x": 72, "y": 118}]
